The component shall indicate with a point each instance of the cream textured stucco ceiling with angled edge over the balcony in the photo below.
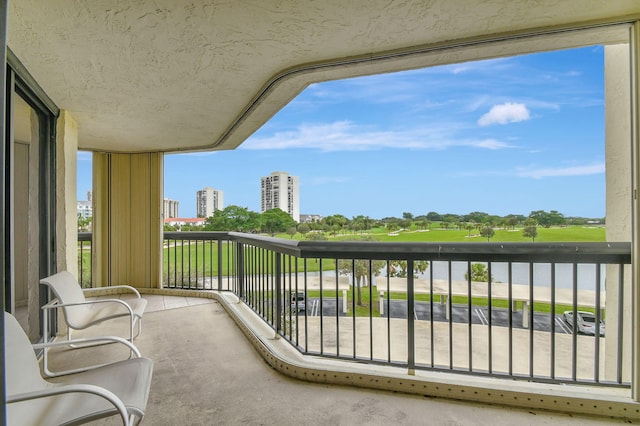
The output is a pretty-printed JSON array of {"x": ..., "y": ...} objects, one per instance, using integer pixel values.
[{"x": 169, "y": 75}]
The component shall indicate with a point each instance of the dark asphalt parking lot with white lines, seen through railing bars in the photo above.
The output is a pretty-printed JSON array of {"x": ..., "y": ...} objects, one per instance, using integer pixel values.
[{"x": 459, "y": 314}]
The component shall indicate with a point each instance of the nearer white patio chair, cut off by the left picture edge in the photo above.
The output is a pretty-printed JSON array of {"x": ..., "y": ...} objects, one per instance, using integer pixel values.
[{"x": 120, "y": 388}]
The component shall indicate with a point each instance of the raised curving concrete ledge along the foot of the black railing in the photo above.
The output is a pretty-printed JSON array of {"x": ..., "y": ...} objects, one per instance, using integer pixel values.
[{"x": 280, "y": 355}]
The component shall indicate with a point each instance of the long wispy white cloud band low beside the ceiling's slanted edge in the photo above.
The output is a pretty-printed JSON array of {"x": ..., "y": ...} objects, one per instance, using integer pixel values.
[{"x": 347, "y": 136}]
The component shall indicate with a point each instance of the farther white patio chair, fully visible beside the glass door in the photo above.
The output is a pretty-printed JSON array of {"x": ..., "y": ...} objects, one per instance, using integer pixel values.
[{"x": 80, "y": 313}]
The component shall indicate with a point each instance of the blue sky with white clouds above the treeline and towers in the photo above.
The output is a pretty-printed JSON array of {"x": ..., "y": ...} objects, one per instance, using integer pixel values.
[{"x": 502, "y": 136}]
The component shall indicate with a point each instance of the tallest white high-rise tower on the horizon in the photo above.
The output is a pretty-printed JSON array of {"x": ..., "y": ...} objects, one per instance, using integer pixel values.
[{"x": 281, "y": 191}]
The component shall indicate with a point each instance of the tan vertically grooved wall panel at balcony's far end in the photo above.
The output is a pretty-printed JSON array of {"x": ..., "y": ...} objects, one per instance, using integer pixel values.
[{"x": 127, "y": 234}]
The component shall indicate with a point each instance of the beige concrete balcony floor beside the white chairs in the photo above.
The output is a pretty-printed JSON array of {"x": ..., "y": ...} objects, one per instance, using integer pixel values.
[{"x": 207, "y": 372}]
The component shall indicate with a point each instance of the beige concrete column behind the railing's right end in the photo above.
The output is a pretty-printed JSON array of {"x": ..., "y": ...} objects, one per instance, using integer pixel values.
[{"x": 618, "y": 150}]
